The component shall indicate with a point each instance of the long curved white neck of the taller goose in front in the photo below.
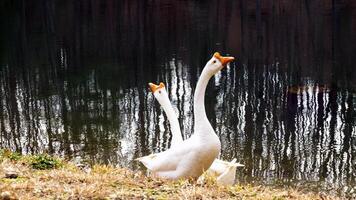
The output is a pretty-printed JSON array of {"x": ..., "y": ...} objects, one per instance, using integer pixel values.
[{"x": 199, "y": 97}]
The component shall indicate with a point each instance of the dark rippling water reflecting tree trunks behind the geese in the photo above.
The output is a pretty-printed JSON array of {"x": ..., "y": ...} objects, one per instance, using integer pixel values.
[{"x": 74, "y": 74}]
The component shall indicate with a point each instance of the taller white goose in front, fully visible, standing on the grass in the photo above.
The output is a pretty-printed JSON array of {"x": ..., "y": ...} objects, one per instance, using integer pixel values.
[{"x": 191, "y": 157}]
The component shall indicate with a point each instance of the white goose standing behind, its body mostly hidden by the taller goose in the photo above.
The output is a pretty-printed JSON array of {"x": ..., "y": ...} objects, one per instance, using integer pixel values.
[{"x": 223, "y": 170}]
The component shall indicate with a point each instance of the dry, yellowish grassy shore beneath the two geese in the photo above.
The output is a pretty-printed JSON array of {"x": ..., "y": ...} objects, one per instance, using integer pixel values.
[{"x": 45, "y": 177}]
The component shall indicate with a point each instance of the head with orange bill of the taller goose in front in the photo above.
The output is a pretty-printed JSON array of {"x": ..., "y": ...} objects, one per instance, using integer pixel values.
[{"x": 217, "y": 62}]
